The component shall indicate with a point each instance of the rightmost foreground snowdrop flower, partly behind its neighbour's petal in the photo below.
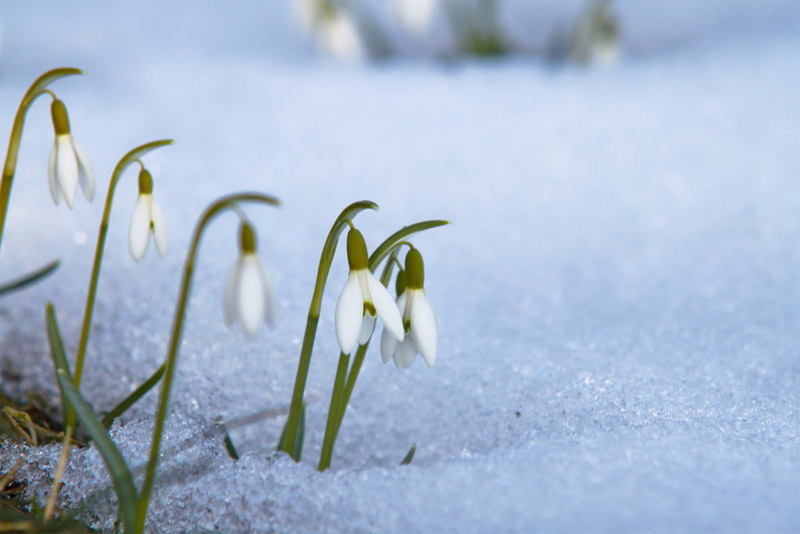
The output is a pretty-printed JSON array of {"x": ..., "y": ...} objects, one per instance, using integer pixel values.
[{"x": 418, "y": 320}]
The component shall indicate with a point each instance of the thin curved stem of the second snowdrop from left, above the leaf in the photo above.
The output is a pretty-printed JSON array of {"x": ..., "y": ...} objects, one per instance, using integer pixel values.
[{"x": 131, "y": 157}]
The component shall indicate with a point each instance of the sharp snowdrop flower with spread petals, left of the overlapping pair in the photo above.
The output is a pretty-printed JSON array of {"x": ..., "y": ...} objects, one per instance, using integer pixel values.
[{"x": 362, "y": 298}]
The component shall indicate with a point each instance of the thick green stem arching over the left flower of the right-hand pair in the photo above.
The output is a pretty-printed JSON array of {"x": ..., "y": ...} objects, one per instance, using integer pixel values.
[{"x": 304, "y": 363}]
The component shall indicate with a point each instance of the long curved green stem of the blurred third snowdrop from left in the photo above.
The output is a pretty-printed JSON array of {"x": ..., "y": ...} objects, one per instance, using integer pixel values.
[{"x": 226, "y": 202}]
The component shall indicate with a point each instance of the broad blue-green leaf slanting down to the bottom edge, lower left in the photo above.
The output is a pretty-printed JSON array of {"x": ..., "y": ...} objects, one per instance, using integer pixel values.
[{"x": 115, "y": 463}]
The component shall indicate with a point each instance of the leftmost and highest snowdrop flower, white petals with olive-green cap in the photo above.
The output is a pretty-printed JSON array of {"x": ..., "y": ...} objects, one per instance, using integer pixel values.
[{"x": 68, "y": 165}]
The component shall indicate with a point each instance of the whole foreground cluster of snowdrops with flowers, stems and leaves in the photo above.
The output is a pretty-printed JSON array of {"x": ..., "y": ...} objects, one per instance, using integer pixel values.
[{"x": 409, "y": 325}]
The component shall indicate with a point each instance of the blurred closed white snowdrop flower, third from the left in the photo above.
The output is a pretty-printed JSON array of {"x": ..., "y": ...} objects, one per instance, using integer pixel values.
[{"x": 249, "y": 293}]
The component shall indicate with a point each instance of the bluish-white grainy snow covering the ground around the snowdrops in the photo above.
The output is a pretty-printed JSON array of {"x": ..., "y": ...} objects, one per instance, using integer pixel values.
[{"x": 618, "y": 296}]
